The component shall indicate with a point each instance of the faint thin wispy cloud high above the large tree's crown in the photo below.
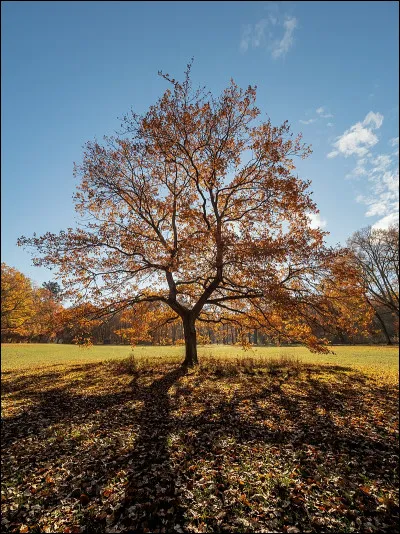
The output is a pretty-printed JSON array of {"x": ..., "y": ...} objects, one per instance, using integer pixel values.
[{"x": 265, "y": 34}]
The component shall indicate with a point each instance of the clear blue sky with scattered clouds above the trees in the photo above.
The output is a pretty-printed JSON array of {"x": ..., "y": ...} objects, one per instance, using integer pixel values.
[{"x": 71, "y": 69}]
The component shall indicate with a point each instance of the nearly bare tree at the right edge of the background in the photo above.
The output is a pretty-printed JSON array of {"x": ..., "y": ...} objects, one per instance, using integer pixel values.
[{"x": 377, "y": 254}]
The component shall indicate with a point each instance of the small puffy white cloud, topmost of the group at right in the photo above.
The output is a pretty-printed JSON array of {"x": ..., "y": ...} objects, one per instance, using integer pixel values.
[{"x": 359, "y": 138}]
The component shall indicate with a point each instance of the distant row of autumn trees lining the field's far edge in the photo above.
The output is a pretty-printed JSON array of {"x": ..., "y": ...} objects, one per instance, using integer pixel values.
[{"x": 37, "y": 314}]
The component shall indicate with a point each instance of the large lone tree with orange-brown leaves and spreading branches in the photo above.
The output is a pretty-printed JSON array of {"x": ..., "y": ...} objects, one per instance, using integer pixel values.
[{"x": 195, "y": 205}]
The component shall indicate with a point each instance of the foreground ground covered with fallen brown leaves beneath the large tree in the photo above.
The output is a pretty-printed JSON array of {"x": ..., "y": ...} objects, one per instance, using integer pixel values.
[{"x": 240, "y": 445}]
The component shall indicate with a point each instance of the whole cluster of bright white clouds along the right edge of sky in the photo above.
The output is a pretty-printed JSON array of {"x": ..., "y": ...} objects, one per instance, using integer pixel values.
[{"x": 379, "y": 171}]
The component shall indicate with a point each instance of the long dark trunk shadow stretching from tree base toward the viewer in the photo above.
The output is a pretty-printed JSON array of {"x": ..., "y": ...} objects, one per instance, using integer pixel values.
[{"x": 150, "y": 502}]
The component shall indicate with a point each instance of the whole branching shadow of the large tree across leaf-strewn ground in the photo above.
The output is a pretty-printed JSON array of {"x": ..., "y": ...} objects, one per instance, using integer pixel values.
[{"x": 307, "y": 424}]
